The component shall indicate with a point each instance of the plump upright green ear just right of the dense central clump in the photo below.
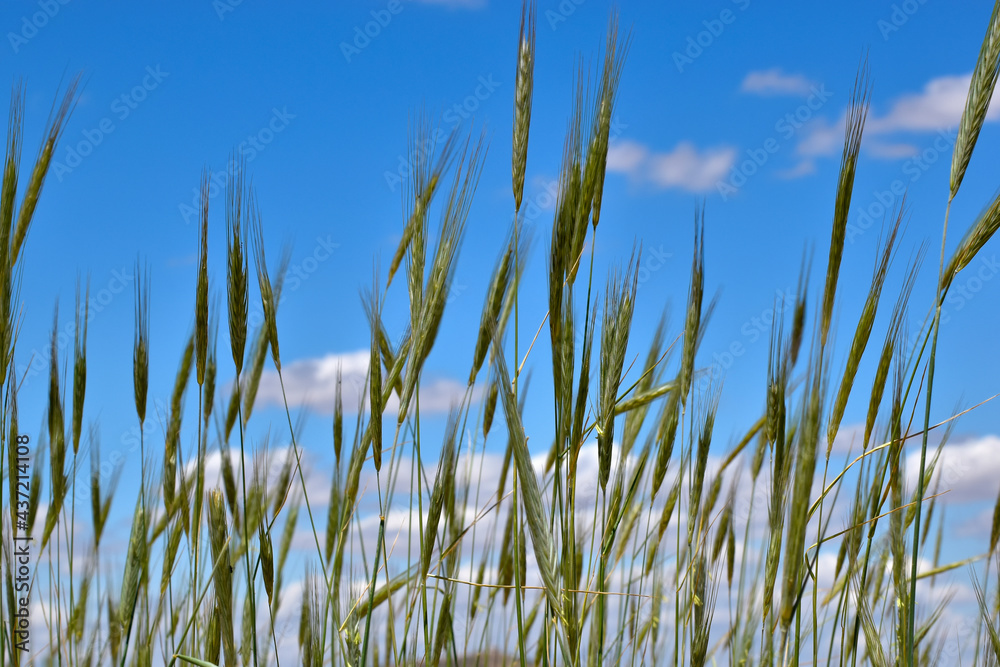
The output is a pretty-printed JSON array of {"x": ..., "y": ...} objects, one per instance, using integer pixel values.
[{"x": 618, "y": 308}]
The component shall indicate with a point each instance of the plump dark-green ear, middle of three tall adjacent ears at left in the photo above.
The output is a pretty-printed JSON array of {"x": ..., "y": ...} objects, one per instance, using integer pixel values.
[{"x": 236, "y": 266}]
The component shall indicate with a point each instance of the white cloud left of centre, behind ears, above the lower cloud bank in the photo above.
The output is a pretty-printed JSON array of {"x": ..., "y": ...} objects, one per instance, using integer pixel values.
[{"x": 313, "y": 383}]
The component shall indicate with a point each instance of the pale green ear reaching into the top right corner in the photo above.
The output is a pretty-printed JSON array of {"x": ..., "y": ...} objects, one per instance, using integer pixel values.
[{"x": 977, "y": 103}]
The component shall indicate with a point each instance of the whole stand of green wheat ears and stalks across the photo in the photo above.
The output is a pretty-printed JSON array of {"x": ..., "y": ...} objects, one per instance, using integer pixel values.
[{"x": 630, "y": 574}]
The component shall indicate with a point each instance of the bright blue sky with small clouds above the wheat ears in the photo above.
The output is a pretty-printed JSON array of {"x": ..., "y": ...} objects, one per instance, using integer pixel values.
[{"x": 735, "y": 103}]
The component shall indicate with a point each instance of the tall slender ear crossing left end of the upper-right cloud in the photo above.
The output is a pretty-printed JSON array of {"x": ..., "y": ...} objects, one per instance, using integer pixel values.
[{"x": 856, "y": 114}]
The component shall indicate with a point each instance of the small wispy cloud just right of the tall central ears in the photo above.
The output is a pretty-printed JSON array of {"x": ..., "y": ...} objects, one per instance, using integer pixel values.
[{"x": 685, "y": 167}]
